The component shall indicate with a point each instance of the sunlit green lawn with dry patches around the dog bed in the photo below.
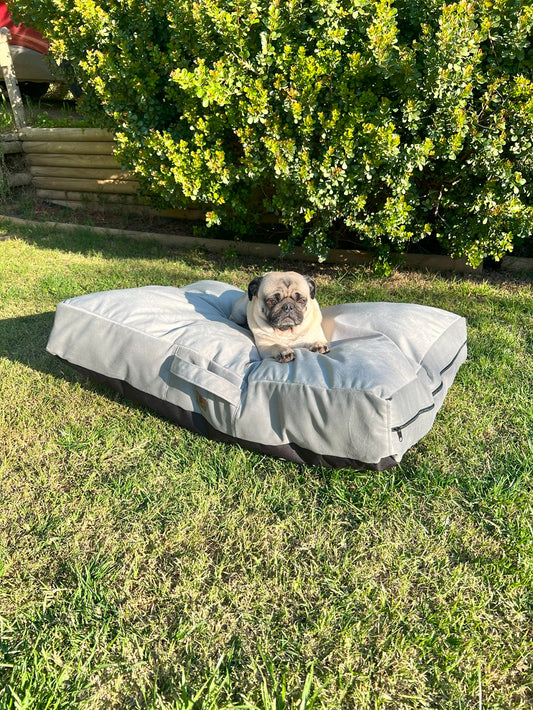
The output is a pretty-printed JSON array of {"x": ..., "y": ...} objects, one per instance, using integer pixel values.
[{"x": 142, "y": 566}]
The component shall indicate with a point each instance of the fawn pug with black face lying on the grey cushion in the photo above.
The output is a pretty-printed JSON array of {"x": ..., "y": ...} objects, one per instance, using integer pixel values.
[{"x": 281, "y": 311}]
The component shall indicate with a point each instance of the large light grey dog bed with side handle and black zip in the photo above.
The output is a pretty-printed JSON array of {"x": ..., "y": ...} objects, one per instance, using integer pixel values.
[{"x": 362, "y": 405}]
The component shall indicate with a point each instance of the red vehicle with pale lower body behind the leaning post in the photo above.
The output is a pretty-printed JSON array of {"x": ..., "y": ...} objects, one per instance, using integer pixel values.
[{"x": 28, "y": 49}]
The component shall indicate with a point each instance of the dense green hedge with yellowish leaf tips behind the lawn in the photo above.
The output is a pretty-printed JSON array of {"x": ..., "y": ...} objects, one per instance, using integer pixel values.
[{"x": 382, "y": 121}]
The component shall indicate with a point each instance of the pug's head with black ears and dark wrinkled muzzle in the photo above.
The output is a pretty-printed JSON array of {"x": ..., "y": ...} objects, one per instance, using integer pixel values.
[{"x": 283, "y": 298}]
